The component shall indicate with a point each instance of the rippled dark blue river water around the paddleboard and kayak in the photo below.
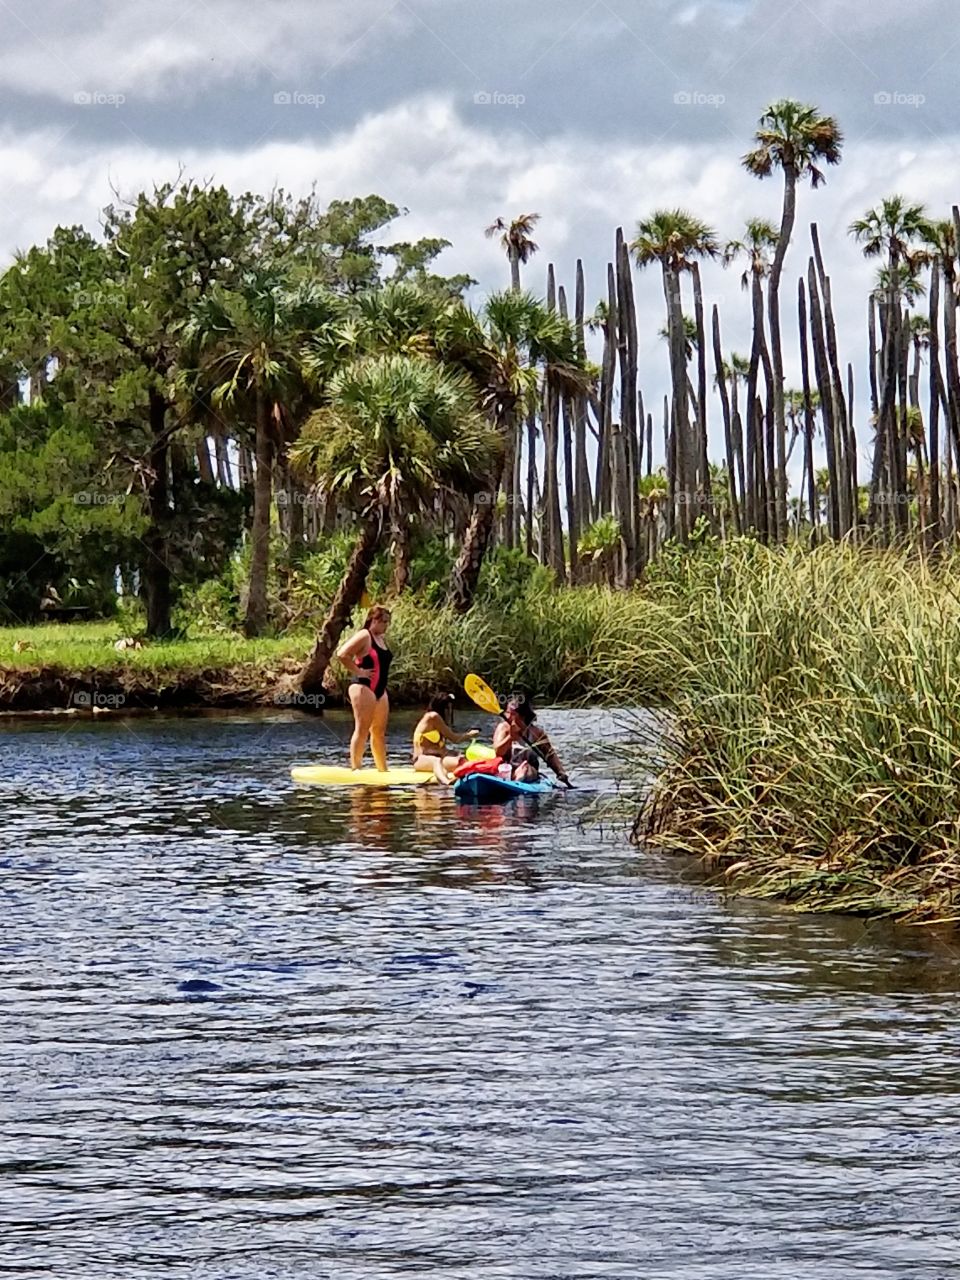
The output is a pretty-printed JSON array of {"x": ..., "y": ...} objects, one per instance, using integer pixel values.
[{"x": 258, "y": 1031}]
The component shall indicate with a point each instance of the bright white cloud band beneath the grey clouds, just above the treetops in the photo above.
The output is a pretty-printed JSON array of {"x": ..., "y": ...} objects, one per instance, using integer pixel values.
[{"x": 456, "y": 177}]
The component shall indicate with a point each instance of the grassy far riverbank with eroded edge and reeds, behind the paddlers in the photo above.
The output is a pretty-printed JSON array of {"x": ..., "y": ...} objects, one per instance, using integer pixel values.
[{"x": 564, "y": 647}]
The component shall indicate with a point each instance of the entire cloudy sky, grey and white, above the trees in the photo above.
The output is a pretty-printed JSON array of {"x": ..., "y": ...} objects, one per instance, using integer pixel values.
[{"x": 591, "y": 115}]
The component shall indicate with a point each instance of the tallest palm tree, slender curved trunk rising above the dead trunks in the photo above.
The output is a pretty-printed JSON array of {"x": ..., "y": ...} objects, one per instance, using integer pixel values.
[{"x": 796, "y": 139}]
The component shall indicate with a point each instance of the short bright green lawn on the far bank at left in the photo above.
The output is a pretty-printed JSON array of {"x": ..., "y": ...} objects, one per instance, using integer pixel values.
[{"x": 90, "y": 646}]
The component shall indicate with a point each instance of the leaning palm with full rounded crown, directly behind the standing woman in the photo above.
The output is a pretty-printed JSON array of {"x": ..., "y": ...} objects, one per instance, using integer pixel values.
[{"x": 396, "y": 432}]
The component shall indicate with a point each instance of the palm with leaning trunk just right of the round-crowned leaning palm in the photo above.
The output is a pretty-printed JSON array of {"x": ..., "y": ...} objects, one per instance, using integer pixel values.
[{"x": 508, "y": 350}]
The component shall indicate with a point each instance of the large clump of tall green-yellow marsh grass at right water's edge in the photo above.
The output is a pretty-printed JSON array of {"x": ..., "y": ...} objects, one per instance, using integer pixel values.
[{"x": 810, "y": 743}]
